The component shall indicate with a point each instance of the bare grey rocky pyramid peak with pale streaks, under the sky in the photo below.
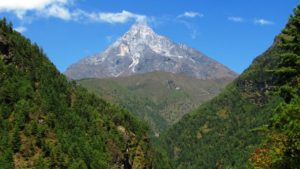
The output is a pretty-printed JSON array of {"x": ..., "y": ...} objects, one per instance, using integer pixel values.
[{"x": 141, "y": 50}]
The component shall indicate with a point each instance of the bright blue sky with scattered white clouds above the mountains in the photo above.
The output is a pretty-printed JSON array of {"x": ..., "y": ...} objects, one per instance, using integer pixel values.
[{"x": 232, "y": 32}]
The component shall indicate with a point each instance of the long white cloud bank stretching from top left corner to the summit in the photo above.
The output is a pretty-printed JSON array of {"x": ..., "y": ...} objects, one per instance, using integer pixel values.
[{"x": 62, "y": 9}]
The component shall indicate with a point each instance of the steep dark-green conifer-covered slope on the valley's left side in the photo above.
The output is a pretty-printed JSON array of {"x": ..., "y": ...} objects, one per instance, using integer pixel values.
[{"x": 47, "y": 122}]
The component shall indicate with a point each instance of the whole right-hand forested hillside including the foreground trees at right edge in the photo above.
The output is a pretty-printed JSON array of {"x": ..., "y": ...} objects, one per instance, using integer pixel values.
[{"x": 254, "y": 122}]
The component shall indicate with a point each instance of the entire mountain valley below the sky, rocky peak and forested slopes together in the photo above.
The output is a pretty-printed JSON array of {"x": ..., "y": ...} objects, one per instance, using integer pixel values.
[{"x": 105, "y": 110}]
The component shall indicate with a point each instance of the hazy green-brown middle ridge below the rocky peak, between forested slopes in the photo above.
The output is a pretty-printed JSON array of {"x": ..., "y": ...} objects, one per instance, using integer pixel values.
[{"x": 159, "y": 98}]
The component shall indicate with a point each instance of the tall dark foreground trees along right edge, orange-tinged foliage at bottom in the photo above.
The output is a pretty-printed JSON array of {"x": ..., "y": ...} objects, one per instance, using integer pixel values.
[{"x": 282, "y": 148}]
